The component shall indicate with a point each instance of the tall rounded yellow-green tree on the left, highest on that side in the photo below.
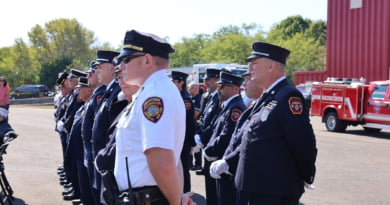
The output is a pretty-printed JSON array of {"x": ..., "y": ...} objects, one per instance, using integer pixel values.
[{"x": 61, "y": 44}]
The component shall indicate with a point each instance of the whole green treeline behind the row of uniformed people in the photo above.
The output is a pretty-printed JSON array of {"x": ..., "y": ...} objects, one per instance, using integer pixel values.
[{"x": 64, "y": 43}]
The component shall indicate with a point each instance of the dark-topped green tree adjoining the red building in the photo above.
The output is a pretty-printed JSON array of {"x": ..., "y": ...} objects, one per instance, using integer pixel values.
[{"x": 306, "y": 41}]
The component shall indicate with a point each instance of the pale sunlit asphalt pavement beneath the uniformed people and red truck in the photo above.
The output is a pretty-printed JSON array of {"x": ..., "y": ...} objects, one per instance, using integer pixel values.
[{"x": 352, "y": 167}]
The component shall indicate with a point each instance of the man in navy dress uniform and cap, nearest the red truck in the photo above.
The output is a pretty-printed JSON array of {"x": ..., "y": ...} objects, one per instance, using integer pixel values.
[{"x": 278, "y": 148}]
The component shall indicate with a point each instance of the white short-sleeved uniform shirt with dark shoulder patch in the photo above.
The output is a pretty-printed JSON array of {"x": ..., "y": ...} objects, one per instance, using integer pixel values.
[{"x": 140, "y": 130}]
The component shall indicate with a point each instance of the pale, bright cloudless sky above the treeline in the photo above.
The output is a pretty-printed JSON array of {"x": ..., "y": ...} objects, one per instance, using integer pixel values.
[{"x": 110, "y": 19}]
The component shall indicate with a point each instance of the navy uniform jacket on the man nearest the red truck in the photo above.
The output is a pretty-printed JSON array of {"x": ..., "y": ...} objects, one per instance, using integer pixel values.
[{"x": 278, "y": 148}]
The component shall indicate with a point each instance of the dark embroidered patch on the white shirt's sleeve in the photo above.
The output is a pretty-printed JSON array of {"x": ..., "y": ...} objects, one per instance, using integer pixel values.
[{"x": 153, "y": 109}]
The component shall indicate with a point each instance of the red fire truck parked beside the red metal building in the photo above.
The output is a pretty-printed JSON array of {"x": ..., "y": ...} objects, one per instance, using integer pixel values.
[{"x": 342, "y": 102}]
